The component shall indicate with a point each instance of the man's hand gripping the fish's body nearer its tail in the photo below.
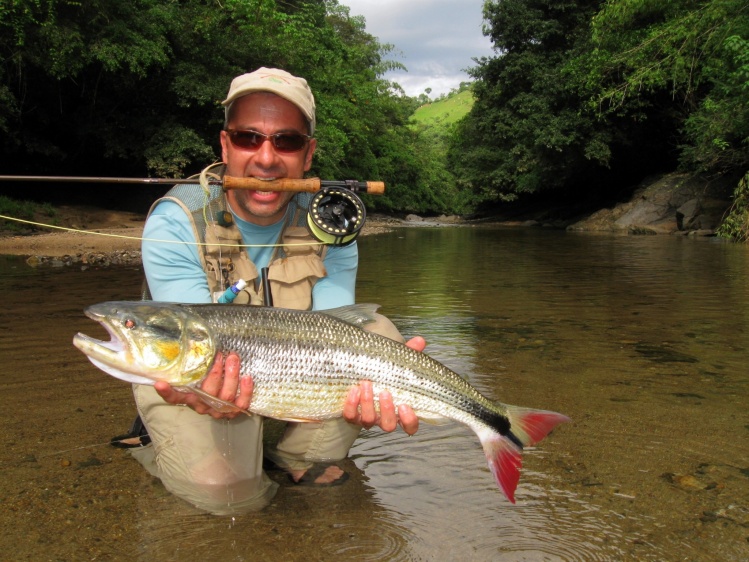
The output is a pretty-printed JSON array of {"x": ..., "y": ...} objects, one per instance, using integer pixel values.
[{"x": 360, "y": 409}]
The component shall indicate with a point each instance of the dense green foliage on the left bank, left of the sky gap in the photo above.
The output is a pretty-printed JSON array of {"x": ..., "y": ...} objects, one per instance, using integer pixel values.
[{"x": 106, "y": 87}]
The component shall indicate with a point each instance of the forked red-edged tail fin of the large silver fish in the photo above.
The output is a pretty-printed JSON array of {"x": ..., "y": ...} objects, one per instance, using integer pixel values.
[{"x": 503, "y": 454}]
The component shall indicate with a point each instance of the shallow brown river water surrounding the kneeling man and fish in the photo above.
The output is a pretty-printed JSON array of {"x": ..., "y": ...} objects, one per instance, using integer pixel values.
[{"x": 642, "y": 341}]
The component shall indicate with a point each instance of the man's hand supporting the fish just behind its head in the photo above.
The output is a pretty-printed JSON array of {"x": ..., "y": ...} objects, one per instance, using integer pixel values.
[{"x": 222, "y": 381}]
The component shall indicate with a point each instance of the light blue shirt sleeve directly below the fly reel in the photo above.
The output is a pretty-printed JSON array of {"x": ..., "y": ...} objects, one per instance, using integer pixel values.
[{"x": 338, "y": 288}]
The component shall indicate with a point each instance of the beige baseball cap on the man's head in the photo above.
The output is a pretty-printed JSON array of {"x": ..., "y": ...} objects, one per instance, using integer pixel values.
[{"x": 279, "y": 82}]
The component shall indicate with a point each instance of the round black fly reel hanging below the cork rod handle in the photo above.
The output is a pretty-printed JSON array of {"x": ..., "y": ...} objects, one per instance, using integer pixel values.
[{"x": 336, "y": 215}]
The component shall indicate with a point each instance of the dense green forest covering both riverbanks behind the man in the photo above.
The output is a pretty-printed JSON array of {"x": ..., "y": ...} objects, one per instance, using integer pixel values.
[{"x": 582, "y": 99}]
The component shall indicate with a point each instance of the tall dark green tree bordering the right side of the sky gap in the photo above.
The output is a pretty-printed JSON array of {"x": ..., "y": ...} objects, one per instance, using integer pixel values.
[{"x": 526, "y": 133}]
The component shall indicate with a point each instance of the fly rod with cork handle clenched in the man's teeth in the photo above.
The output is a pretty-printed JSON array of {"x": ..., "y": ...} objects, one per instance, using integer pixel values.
[{"x": 309, "y": 185}]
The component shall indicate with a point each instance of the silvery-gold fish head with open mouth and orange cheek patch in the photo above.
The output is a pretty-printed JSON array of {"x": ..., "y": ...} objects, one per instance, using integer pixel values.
[{"x": 150, "y": 341}]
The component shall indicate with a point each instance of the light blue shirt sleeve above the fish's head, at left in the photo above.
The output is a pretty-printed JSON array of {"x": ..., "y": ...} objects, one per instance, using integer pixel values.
[{"x": 170, "y": 257}]
